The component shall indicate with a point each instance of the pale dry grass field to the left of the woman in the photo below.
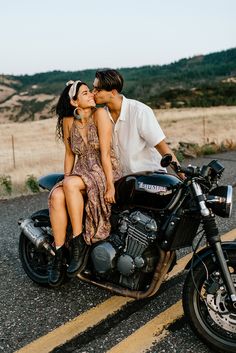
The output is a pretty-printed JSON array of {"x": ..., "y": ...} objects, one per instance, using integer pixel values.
[{"x": 36, "y": 150}]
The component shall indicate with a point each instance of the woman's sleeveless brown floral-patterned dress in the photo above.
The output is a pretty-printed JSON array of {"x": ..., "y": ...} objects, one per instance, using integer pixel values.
[{"x": 88, "y": 166}]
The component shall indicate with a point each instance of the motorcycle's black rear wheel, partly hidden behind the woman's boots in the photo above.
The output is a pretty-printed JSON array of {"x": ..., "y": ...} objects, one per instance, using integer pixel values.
[{"x": 34, "y": 261}]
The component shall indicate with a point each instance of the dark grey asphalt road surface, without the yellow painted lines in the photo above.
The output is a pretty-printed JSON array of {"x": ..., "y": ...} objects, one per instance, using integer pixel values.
[{"x": 28, "y": 311}]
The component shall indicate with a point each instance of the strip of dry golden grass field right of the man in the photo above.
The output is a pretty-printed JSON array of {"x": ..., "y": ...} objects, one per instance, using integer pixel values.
[{"x": 198, "y": 125}]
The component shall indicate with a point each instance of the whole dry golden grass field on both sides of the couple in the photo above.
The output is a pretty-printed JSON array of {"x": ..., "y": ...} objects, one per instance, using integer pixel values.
[{"x": 37, "y": 152}]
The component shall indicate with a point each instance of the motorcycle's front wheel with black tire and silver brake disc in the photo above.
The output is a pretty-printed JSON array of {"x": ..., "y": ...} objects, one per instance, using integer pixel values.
[{"x": 217, "y": 330}]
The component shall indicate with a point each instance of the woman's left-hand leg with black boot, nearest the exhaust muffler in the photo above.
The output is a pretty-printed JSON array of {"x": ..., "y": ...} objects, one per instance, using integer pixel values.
[{"x": 59, "y": 219}]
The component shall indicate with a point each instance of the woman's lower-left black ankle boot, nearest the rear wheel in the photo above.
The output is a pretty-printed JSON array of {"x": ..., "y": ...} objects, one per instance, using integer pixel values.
[{"x": 57, "y": 270}]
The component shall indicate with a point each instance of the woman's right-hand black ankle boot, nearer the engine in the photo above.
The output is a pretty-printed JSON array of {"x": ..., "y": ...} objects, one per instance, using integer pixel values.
[{"x": 79, "y": 250}]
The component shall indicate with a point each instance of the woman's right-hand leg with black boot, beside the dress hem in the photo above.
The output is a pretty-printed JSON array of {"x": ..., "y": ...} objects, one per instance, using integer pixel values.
[{"x": 74, "y": 188}]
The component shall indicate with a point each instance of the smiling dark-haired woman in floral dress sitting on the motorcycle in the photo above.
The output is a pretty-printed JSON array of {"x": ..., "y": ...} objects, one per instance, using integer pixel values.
[{"x": 90, "y": 169}]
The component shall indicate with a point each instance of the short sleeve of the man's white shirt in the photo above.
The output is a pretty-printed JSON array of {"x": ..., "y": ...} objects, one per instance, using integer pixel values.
[{"x": 150, "y": 129}]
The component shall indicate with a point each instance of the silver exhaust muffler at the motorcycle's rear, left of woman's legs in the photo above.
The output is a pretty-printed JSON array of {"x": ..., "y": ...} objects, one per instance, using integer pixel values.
[{"x": 35, "y": 234}]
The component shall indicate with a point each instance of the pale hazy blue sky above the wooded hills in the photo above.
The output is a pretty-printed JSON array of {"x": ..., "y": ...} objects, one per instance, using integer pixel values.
[{"x": 46, "y": 35}]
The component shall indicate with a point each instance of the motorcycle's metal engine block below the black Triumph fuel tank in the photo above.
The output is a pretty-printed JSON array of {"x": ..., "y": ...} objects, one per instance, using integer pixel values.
[{"x": 128, "y": 252}]
